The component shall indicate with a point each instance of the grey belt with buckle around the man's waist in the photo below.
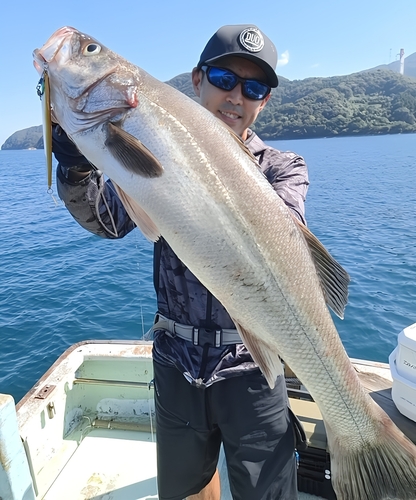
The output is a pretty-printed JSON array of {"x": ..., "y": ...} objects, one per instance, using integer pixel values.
[{"x": 198, "y": 336}]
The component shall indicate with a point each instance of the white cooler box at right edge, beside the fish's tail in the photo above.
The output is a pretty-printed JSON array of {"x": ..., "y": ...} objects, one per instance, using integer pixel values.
[{"x": 403, "y": 371}]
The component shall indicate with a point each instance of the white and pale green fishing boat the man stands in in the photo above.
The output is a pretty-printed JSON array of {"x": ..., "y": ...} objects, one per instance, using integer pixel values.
[{"x": 86, "y": 430}]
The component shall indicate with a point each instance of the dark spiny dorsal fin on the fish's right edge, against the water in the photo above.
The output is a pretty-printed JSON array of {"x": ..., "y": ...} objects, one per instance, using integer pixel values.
[{"x": 334, "y": 278}]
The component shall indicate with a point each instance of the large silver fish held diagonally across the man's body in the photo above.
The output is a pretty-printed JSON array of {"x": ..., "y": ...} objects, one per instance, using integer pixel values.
[{"x": 183, "y": 175}]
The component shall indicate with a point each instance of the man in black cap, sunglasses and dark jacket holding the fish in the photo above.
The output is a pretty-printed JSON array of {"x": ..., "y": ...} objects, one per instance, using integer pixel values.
[{"x": 208, "y": 390}]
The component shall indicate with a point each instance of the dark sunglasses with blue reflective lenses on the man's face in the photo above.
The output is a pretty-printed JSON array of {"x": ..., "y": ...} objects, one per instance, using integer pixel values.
[{"x": 227, "y": 80}]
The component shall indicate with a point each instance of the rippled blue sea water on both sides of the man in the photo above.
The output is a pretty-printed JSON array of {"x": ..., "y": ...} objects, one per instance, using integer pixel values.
[{"x": 60, "y": 285}]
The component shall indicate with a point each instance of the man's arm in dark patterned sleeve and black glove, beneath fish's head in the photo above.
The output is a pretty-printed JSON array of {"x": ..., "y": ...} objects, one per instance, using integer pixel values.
[{"x": 92, "y": 202}]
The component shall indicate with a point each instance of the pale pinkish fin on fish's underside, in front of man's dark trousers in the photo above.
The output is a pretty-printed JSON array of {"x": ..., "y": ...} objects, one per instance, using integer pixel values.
[{"x": 265, "y": 355}]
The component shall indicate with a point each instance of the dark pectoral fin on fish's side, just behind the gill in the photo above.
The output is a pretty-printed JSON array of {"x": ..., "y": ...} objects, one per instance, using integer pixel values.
[{"x": 131, "y": 153}]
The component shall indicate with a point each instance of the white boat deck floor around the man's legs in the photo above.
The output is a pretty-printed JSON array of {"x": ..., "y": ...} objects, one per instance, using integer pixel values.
[{"x": 94, "y": 472}]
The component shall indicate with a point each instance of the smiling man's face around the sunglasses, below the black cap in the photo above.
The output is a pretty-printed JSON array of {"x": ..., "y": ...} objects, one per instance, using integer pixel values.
[{"x": 237, "y": 111}]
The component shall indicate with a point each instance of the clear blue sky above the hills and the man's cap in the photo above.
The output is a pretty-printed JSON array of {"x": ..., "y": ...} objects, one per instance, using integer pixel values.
[{"x": 165, "y": 37}]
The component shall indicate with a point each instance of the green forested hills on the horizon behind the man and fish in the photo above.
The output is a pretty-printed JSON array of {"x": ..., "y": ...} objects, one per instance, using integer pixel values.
[{"x": 378, "y": 101}]
